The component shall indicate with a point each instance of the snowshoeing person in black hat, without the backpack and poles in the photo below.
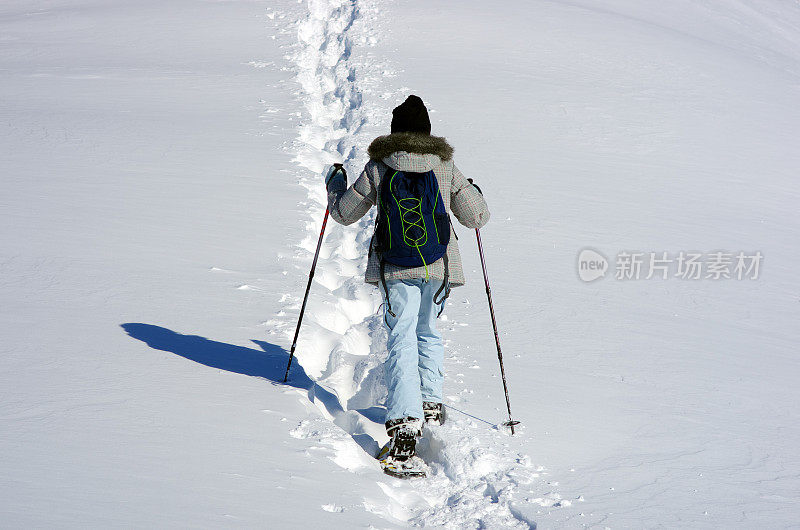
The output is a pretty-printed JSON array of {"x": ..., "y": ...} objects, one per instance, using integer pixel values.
[{"x": 413, "y": 296}]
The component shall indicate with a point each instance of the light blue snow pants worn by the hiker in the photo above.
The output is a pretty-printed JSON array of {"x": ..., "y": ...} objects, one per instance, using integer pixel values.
[{"x": 414, "y": 368}]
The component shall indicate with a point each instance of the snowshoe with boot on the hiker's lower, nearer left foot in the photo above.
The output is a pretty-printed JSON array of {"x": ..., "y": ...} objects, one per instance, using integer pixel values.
[{"x": 398, "y": 458}]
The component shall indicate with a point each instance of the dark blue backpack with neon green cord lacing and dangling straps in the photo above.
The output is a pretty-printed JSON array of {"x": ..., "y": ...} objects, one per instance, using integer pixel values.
[{"x": 412, "y": 227}]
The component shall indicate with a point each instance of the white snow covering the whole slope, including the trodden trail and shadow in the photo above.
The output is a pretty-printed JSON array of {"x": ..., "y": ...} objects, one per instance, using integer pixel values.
[{"x": 161, "y": 204}]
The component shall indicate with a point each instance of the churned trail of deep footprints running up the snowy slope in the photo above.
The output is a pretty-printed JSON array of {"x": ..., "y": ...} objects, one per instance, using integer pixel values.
[{"x": 475, "y": 475}]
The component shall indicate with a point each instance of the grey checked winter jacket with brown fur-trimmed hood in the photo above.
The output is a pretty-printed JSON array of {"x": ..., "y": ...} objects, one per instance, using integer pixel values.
[{"x": 417, "y": 153}]
